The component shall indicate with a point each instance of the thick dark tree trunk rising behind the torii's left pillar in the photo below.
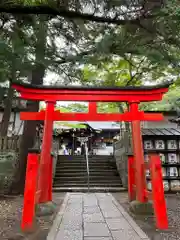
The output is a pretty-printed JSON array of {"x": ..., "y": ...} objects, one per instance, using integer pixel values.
[{"x": 29, "y": 131}]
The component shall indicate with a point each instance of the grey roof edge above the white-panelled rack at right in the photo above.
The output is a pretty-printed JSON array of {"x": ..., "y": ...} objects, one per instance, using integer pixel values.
[{"x": 160, "y": 132}]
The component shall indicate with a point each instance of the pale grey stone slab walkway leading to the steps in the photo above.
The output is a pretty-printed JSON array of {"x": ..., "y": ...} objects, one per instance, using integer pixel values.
[{"x": 94, "y": 216}]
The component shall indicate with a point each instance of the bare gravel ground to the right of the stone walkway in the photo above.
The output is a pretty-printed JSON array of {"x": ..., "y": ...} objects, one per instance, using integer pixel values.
[{"x": 147, "y": 223}]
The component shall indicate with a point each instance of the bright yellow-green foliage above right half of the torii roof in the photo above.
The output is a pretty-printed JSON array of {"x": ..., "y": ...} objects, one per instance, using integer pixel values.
[{"x": 117, "y": 71}]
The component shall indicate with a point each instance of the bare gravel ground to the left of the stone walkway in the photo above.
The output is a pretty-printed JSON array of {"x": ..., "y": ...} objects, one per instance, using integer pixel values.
[{"x": 10, "y": 219}]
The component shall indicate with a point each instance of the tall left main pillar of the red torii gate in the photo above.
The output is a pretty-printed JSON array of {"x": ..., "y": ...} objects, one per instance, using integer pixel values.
[{"x": 46, "y": 152}]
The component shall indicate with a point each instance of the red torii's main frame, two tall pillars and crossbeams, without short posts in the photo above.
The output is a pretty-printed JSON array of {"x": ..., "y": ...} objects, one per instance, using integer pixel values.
[{"x": 132, "y": 95}]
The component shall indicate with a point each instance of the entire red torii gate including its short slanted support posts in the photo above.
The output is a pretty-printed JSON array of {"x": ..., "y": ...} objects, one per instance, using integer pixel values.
[{"x": 38, "y": 186}]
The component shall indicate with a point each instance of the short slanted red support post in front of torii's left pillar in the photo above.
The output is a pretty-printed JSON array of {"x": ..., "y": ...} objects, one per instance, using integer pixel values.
[{"x": 30, "y": 192}]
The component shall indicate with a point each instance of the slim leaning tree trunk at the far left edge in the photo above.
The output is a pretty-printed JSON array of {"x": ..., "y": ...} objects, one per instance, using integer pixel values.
[{"x": 7, "y": 112}]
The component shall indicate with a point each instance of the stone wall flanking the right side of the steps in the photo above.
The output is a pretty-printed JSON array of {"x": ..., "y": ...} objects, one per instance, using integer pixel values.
[{"x": 121, "y": 150}]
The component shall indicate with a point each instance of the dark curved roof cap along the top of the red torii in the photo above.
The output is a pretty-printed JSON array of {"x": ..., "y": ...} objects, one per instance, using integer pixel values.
[{"x": 64, "y": 87}]
